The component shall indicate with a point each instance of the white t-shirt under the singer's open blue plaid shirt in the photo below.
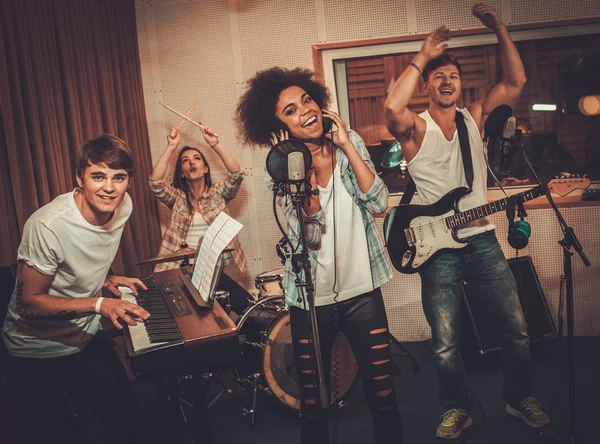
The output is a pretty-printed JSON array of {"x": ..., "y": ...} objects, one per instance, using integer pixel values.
[{"x": 350, "y": 252}]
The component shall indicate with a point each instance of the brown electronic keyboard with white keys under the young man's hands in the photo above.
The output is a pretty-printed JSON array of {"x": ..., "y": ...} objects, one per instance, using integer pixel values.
[{"x": 179, "y": 338}]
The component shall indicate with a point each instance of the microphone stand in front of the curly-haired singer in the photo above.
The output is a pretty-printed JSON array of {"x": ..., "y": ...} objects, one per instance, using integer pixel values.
[{"x": 301, "y": 260}]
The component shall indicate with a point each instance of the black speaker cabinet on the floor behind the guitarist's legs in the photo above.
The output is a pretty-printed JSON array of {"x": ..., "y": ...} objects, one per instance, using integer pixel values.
[{"x": 478, "y": 332}]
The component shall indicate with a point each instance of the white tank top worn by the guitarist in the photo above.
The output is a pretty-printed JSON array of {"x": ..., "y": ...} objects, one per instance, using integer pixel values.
[{"x": 438, "y": 168}]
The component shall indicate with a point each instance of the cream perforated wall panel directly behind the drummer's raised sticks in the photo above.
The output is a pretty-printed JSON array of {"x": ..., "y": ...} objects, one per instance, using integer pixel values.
[{"x": 196, "y": 63}]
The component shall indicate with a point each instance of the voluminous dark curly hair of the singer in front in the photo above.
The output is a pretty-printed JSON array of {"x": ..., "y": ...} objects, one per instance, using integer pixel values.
[{"x": 255, "y": 112}]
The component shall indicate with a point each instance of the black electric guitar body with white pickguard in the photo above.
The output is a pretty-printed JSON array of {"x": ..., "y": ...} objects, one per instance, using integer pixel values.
[{"x": 416, "y": 234}]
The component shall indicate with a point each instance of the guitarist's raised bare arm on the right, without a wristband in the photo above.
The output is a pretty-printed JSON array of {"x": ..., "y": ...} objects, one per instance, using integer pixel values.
[{"x": 509, "y": 90}]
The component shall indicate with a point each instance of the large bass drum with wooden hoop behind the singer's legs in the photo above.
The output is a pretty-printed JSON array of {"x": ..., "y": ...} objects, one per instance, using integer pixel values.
[{"x": 268, "y": 351}]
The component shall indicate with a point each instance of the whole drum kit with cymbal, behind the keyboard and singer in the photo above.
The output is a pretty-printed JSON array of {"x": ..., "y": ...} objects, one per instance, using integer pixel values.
[{"x": 265, "y": 334}]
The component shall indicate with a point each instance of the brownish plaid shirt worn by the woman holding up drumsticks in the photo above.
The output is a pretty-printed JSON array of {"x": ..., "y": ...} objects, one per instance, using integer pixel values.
[{"x": 211, "y": 203}]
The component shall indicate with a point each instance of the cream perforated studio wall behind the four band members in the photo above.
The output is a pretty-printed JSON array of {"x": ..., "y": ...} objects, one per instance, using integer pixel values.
[{"x": 206, "y": 50}]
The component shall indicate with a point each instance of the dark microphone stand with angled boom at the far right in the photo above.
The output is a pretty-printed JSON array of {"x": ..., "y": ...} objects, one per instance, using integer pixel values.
[{"x": 568, "y": 243}]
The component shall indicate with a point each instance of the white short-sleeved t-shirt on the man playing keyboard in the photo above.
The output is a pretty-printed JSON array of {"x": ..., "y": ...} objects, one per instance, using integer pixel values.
[{"x": 57, "y": 241}]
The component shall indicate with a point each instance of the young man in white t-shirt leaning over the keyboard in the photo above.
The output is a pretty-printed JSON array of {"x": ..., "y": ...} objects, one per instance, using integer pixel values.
[{"x": 54, "y": 314}]
